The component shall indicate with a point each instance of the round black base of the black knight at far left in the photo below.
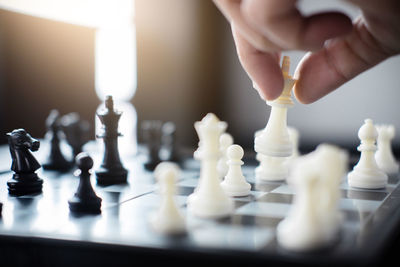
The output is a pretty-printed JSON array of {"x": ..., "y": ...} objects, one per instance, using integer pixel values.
[{"x": 24, "y": 184}]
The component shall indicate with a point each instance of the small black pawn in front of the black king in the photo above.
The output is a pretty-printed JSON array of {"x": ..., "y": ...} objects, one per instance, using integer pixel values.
[{"x": 85, "y": 199}]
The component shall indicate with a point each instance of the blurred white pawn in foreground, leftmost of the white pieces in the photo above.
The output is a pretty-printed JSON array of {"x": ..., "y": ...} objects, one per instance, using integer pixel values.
[{"x": 168, "y": 219}]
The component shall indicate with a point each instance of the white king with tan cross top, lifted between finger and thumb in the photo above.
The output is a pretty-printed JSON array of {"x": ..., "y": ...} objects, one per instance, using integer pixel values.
[{"x": 274, "y": 141}]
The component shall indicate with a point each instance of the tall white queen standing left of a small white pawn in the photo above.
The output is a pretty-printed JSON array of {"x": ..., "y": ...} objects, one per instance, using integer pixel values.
[{"x": 209, "y": 199}]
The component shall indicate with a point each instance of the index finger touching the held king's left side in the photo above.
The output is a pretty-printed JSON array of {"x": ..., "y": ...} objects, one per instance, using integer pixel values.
[{"x": 263, "y": 68}]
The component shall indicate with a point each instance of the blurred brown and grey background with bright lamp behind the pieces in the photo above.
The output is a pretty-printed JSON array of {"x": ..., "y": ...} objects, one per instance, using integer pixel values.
[{"x": 173, "y": 60}]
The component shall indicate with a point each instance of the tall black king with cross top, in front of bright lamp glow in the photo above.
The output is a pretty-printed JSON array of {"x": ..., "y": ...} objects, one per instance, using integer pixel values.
[{"x": 111, "y": 170}]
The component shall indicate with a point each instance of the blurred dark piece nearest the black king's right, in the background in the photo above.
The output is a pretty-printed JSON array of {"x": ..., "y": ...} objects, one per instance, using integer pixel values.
[{"x": 151, "y": 130}]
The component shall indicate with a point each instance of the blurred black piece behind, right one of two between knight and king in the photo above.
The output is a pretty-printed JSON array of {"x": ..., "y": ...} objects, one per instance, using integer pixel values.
[{"x": 76, "y": 131}]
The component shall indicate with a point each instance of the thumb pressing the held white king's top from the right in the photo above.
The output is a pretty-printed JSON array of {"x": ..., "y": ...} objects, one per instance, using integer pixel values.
[{"x": 321, "y": 72}]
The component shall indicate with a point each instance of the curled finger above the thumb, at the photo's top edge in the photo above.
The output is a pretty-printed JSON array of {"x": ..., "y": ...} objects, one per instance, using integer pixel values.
[{"x": 282, "y": 23}]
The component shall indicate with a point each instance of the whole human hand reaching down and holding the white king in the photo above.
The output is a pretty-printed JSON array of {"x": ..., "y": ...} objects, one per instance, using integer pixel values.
[{"x": 339, "y": 49}]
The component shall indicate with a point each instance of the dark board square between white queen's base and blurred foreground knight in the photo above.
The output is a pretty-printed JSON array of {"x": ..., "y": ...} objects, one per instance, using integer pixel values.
[{"x": 250, "y": 220}]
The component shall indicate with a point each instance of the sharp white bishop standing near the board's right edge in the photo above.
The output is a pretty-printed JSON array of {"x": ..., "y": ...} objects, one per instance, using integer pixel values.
[{"x": 366, "y": 174}]
